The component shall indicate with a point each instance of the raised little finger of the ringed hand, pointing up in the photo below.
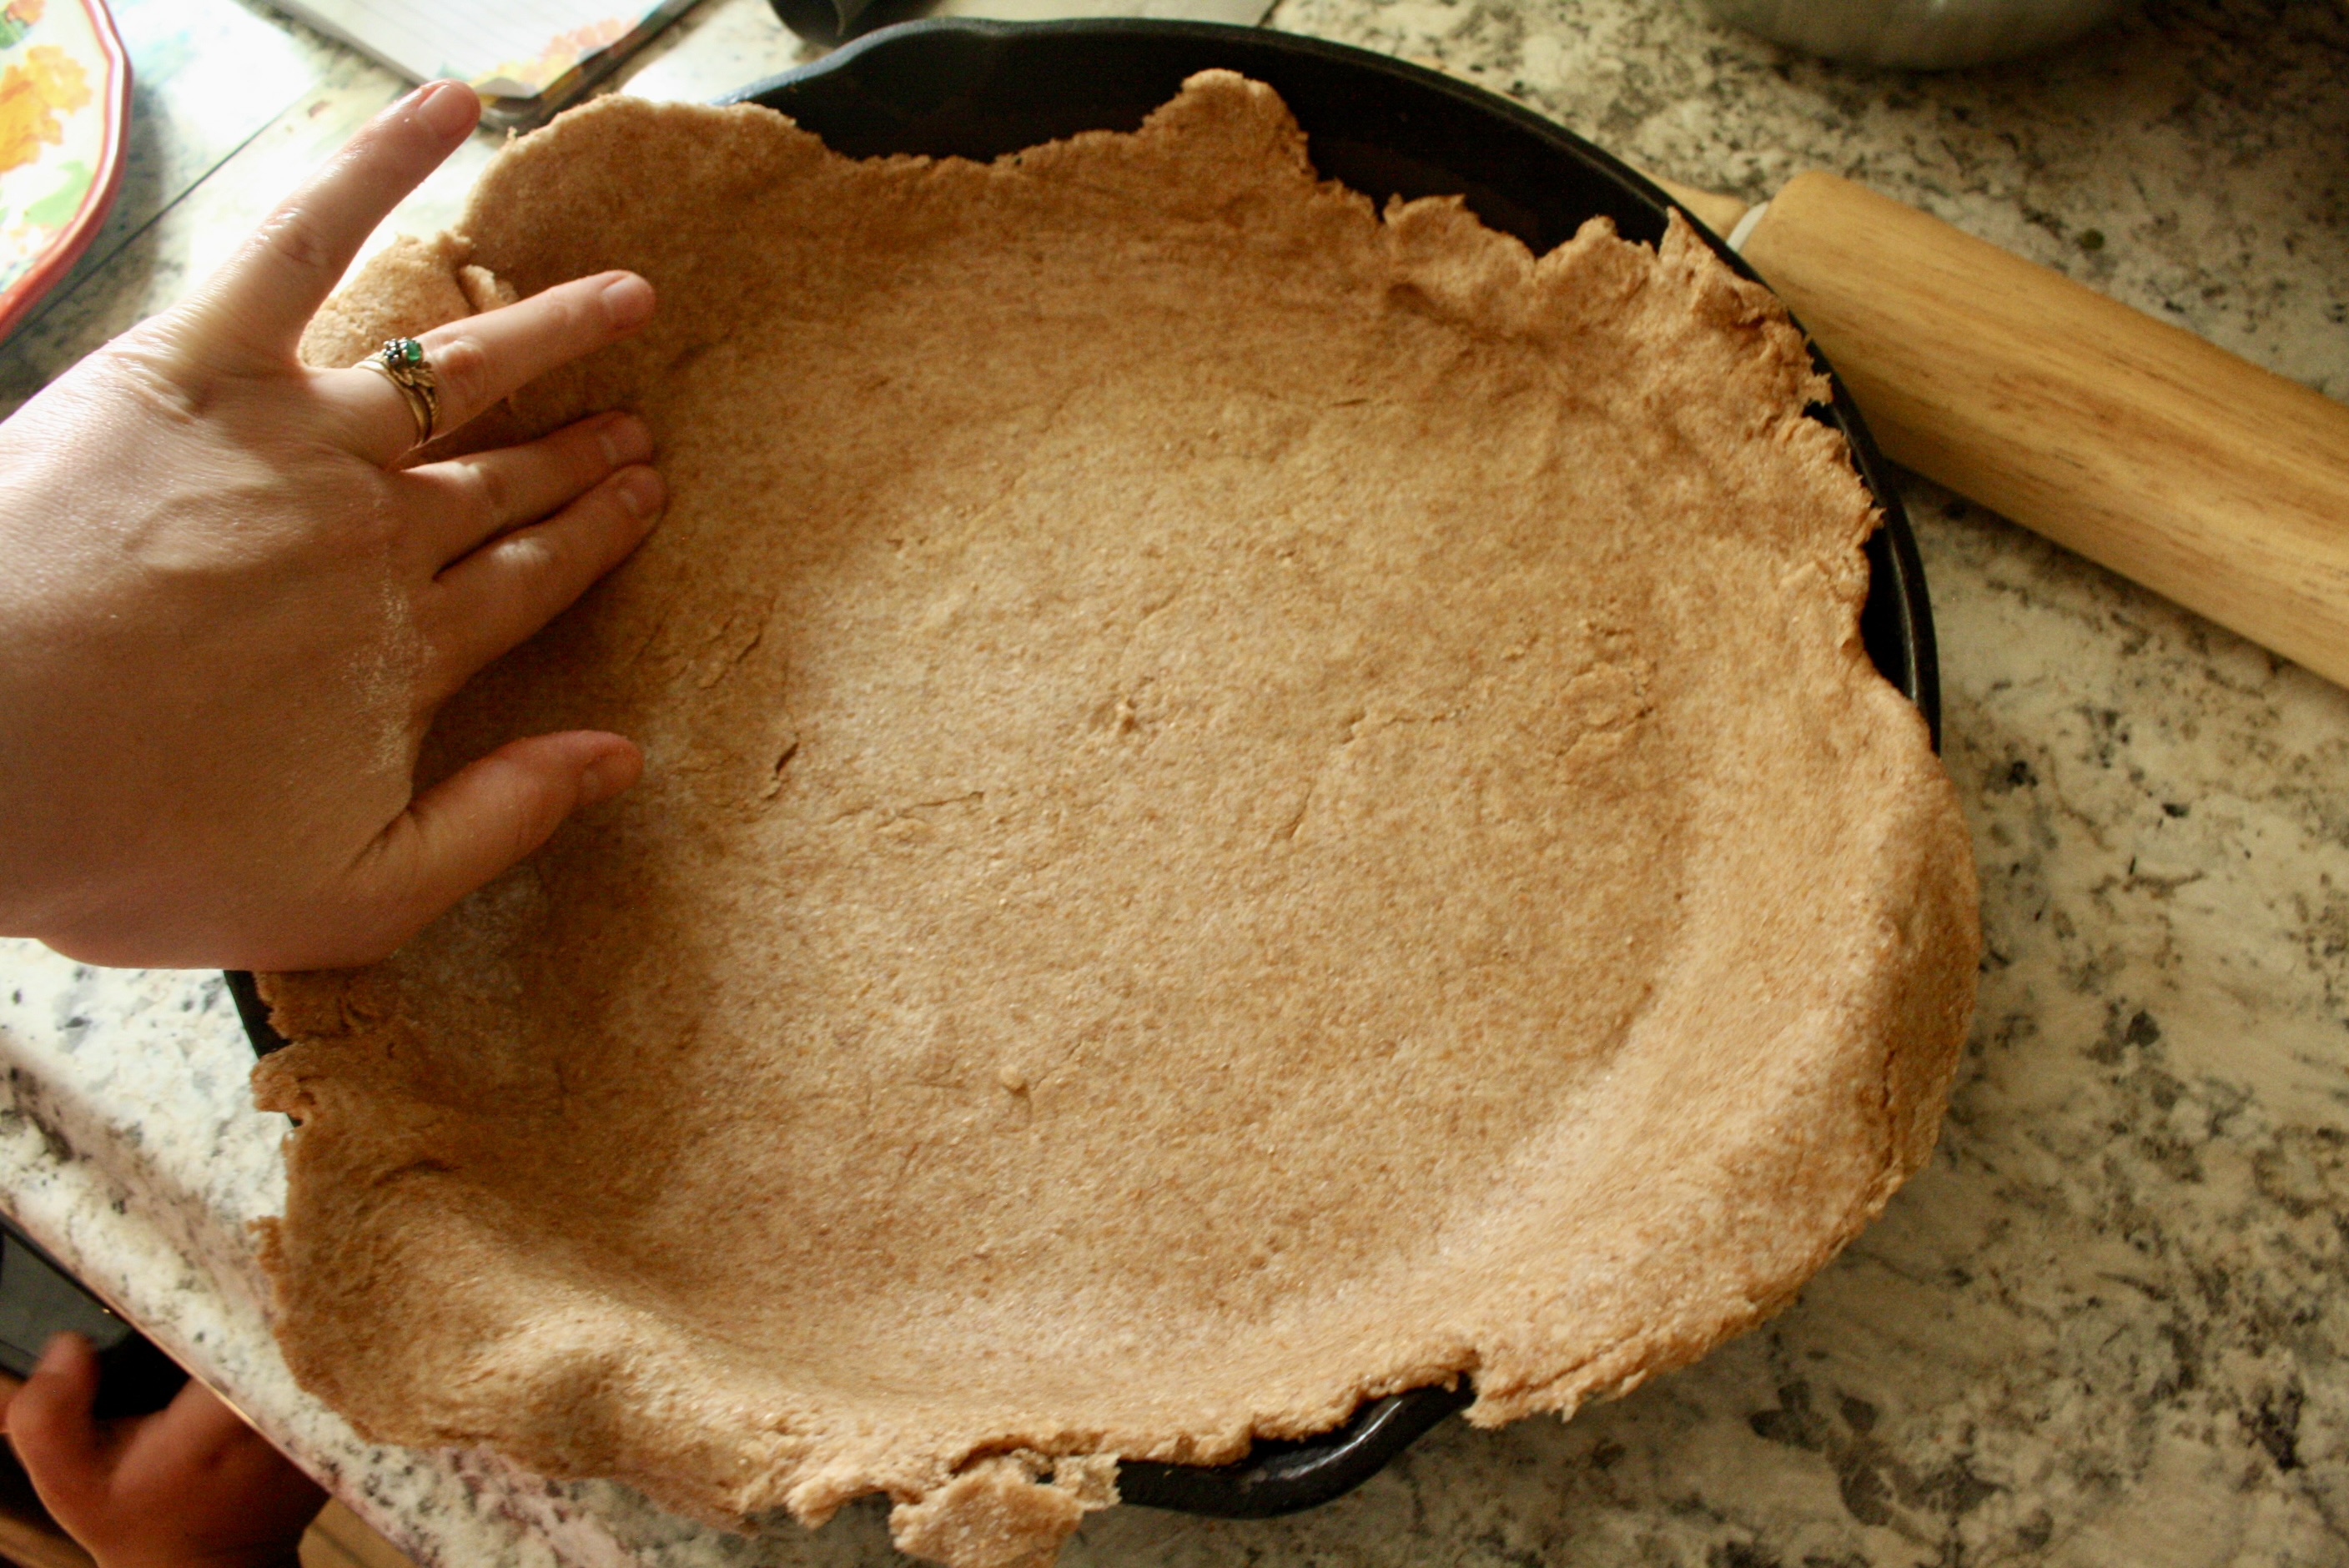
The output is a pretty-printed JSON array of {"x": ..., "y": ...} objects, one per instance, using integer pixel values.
[{"x": 253, "y": 311}]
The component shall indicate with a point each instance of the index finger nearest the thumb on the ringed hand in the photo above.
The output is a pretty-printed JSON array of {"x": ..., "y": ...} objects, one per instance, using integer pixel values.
[{"x": 518, "y": 583}]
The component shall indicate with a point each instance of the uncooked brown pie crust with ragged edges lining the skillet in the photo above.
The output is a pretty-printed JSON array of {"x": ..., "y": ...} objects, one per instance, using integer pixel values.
[{"x": 1253, "y": 804}]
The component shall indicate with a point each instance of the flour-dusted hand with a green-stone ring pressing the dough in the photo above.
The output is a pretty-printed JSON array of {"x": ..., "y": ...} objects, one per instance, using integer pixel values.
[{"x": 229, "y": 616}]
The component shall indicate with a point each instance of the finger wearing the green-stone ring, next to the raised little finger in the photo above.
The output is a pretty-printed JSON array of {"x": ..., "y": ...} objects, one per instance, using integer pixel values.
[{"x": 480, "y": 360}]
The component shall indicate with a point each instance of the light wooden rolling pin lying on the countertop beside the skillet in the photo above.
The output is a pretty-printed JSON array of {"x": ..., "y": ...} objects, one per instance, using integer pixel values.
[{"x": 2111, "y": 433}]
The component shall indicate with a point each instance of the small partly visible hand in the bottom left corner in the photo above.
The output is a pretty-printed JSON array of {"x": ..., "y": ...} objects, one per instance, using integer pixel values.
[{"x": 189, "y": 1487}]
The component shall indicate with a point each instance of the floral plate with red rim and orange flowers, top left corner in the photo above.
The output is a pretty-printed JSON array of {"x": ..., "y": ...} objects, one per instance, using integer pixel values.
[{"x": 65, "y": 104}]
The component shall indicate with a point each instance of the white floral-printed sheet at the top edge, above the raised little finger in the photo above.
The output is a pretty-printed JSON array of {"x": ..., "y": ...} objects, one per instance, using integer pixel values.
[{"x": 525, "y": 58}]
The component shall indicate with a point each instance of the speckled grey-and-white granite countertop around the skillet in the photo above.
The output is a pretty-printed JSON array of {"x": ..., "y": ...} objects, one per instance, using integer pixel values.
[{"x": 2108, "y": 1325}]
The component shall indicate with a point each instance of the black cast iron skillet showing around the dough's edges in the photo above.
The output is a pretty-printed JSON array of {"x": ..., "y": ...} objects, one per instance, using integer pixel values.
[{"x": 990, "y": 88}]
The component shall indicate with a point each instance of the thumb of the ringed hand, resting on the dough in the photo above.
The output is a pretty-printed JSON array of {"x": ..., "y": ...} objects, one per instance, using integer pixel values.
[{"x": 478, "y": 823}]
